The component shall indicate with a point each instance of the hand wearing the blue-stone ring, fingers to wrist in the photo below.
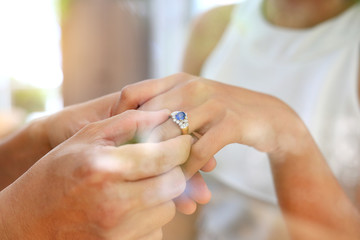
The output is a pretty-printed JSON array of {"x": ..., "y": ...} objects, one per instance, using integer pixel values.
[{"x": 221, "y": 114}]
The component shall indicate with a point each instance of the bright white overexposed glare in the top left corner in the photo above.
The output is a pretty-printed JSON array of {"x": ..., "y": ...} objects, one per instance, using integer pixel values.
[{"x": 30, "y": 42}]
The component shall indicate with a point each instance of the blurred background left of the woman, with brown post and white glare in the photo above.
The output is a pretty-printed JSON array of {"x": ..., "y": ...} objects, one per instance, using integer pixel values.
[{"x": 55, "y": 53}]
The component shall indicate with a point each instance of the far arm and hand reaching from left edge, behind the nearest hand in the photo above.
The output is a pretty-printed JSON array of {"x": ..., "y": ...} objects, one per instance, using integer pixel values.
[{"x": 21, "y": 150}]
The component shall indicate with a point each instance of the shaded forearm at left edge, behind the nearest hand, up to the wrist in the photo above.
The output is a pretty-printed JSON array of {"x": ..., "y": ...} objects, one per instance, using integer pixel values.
[{"x": 20, "y": 151}]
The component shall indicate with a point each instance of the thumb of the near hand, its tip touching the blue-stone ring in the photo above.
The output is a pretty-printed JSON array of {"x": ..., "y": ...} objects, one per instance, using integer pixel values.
[{"x": 124, "y": 127}]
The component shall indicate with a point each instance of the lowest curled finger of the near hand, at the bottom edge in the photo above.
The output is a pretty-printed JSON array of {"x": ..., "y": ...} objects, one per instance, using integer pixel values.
[{"x": 144, "y": 222}]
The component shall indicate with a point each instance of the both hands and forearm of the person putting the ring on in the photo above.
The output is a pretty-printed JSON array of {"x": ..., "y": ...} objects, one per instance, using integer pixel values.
[{"x": 69, "y": 145}]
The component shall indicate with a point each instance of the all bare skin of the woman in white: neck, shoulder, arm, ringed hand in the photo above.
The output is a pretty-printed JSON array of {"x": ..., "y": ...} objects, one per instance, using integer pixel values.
[{"x": 298, "y": 167}]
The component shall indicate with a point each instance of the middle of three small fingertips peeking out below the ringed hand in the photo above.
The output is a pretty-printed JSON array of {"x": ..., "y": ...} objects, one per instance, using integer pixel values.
[{"x": 197, "y": 189}]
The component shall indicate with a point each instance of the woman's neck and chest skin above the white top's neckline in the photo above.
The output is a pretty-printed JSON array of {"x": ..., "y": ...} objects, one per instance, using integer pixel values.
[{"x": 303, "y": 13}]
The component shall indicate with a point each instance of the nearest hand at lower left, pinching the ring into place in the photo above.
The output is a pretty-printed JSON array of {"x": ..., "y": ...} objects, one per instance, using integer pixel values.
[{"x": 88, "y": 188}]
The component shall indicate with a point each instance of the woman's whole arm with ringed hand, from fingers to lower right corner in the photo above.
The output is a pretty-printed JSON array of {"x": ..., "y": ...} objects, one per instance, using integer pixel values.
[{"x": 232, "y": 114}]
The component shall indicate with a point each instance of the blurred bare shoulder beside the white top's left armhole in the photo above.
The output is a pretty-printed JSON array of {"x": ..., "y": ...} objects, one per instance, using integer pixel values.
[{"x": 206, "y": 32}]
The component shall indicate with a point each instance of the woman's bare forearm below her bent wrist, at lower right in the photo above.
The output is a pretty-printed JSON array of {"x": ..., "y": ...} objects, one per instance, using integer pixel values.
[{"x": 310, "y": 196}]
